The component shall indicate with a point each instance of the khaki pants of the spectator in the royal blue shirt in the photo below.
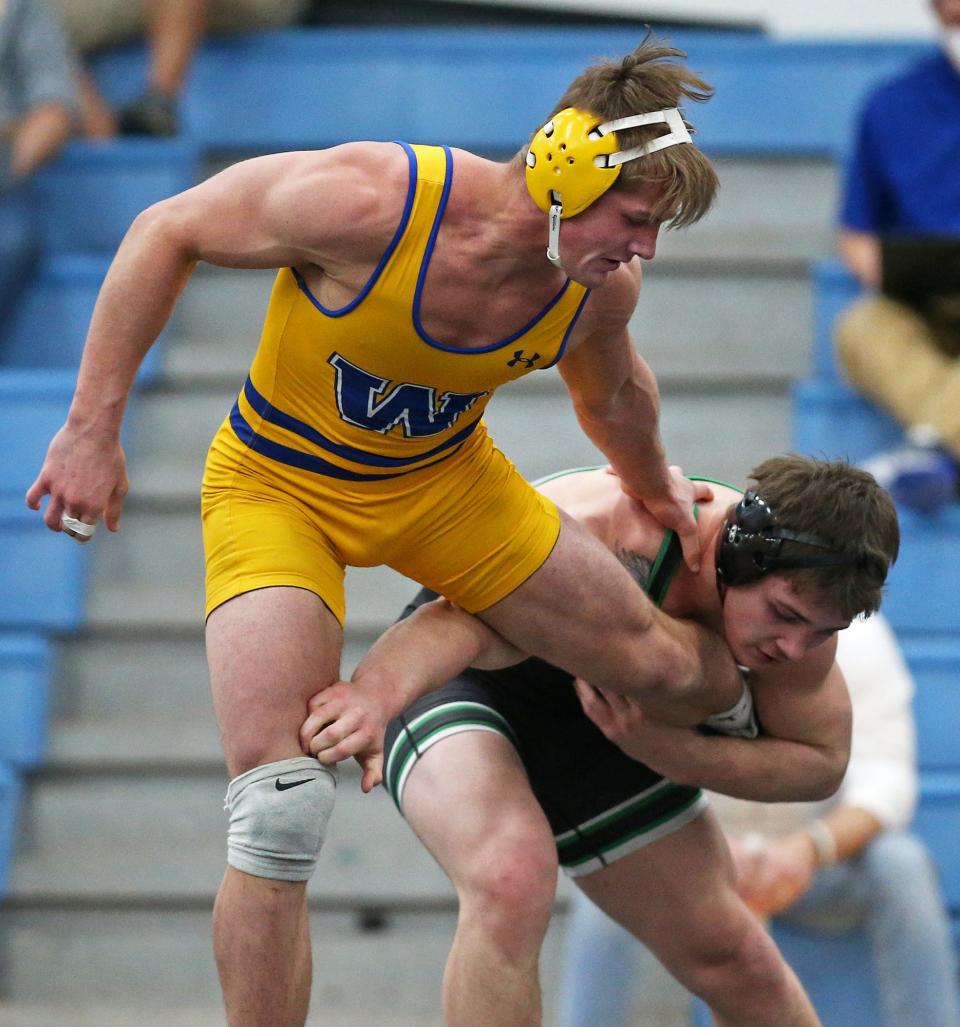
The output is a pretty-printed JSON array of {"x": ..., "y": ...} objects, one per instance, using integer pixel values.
[{"x": 906, "y": 364}]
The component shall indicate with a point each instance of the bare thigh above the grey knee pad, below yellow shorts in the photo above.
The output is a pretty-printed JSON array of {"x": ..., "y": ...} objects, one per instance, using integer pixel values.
[{"x": 268, "y": 652}]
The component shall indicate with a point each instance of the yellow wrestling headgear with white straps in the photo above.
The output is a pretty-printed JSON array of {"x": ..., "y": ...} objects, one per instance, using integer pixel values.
[{"x": 574, "y": 160}]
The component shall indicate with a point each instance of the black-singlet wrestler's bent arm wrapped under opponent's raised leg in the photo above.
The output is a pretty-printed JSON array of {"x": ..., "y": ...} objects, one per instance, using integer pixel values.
[{"x": 801, "y": 756}]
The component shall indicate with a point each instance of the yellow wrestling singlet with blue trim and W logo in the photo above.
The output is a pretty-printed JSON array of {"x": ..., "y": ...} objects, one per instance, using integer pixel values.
[{"x": 359, "y": 439}]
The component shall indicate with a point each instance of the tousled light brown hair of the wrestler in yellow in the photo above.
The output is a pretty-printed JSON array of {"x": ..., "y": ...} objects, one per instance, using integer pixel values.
[{"x": 650, "y": 80}]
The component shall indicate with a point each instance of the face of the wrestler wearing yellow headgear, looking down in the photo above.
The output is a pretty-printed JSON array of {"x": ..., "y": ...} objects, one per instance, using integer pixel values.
[{"x": 610, "y": 233}]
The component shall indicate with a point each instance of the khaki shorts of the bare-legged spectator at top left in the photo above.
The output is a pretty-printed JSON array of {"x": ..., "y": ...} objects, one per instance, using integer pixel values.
[{"x": 93, "y": 24}]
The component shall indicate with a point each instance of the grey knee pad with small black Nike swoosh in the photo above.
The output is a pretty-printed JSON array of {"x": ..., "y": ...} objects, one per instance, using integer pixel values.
[{"x": 279, "y": 817}]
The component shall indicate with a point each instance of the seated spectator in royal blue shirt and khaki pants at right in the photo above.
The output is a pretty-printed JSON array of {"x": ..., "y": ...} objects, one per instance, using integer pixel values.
[{"x": 904, "y": 179}]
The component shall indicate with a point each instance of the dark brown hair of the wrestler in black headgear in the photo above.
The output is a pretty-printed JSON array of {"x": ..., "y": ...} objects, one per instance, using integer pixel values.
[{"x": 846, "y": 508}]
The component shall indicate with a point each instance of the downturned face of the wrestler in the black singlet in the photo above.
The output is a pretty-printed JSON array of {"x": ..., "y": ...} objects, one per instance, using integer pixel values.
[{"x": 770, "y": 622}]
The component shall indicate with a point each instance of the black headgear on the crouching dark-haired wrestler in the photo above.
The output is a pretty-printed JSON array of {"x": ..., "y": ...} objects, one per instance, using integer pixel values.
[{"x": 751, "y": 543}]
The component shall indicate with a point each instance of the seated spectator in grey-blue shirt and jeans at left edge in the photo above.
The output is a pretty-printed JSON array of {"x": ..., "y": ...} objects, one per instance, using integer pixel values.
[{"x": 37, "y": 109}]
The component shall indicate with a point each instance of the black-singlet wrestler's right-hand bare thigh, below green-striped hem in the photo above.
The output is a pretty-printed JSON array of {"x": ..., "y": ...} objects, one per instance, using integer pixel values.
[{"x": 677, "y": 896}]
